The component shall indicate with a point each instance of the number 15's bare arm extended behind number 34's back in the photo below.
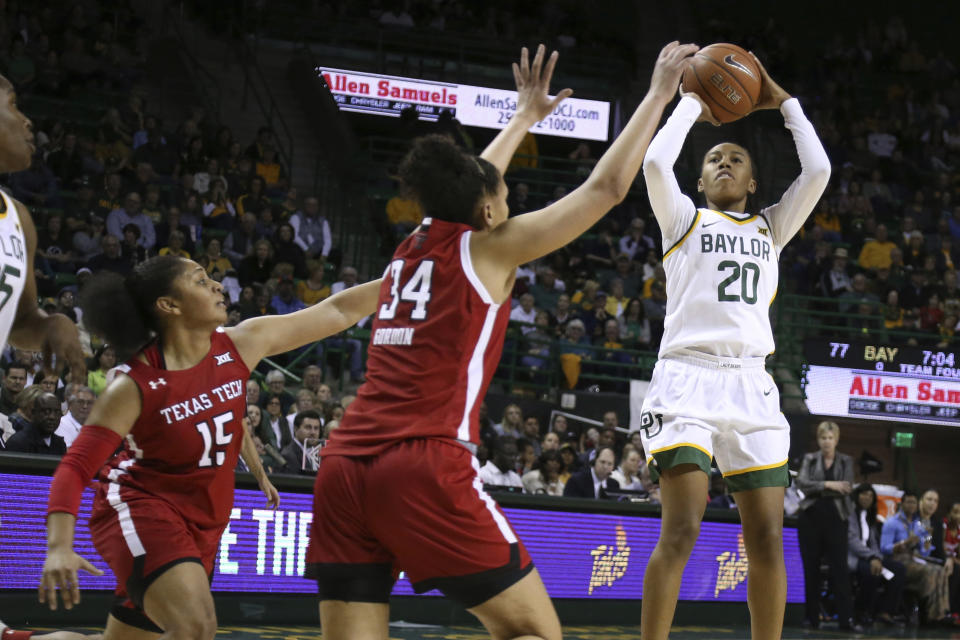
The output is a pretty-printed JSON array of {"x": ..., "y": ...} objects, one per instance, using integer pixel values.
[{"x": 257, "y": 338}]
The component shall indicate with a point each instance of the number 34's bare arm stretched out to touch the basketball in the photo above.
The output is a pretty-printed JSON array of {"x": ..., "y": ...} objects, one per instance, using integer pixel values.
[{"x": 532, "y": 235}]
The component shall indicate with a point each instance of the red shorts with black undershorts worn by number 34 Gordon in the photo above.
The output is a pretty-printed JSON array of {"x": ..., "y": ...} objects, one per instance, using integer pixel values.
[{"x": 419, "y": 507}]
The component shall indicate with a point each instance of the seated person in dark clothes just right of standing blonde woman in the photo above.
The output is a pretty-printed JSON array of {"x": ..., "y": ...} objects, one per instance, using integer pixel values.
[{"x": 866, "y": 560}]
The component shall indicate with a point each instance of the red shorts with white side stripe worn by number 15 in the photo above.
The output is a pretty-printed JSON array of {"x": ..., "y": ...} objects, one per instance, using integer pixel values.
[{"x": 140, "y": 537}]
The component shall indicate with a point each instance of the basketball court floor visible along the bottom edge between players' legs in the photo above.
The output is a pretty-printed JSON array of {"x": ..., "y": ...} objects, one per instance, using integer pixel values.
[{"x": 402, "y": 631}]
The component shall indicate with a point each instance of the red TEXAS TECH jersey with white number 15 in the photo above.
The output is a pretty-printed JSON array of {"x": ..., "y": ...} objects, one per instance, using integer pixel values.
[{"x": 184, "y": 446}]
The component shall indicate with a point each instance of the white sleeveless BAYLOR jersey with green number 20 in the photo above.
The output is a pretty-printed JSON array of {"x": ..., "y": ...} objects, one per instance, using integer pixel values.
[{"x": 722, "y": 276}]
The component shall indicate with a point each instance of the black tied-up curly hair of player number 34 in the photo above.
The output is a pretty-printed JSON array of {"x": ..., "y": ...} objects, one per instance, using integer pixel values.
[{"x": 447, "y": 182}]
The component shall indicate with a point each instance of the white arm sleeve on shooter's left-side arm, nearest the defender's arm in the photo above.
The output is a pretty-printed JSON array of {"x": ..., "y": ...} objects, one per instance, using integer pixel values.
[{"x": 673, "y": 210}]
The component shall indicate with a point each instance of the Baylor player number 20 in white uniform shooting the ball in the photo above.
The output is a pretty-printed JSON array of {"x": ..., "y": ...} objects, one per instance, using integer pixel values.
[{"x": 710, "y": 395}]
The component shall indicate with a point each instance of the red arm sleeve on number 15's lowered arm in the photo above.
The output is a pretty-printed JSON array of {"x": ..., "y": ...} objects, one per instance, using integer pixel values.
[{"x": 90, "y": 450}]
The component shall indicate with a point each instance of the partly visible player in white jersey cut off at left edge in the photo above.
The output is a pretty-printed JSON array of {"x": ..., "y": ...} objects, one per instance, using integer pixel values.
[{"x": 22, "y": 323}]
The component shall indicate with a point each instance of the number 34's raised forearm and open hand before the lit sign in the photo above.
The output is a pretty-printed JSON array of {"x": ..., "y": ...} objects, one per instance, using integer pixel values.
[{"x": 533, "y": 105}]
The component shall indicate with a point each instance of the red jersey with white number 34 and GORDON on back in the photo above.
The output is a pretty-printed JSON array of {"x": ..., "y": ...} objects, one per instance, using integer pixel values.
[{"x": 435, "y": 344}]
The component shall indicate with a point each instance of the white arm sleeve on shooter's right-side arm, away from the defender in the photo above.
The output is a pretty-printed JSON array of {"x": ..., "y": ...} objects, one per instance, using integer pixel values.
[{"x": 787, "y": 216}]
